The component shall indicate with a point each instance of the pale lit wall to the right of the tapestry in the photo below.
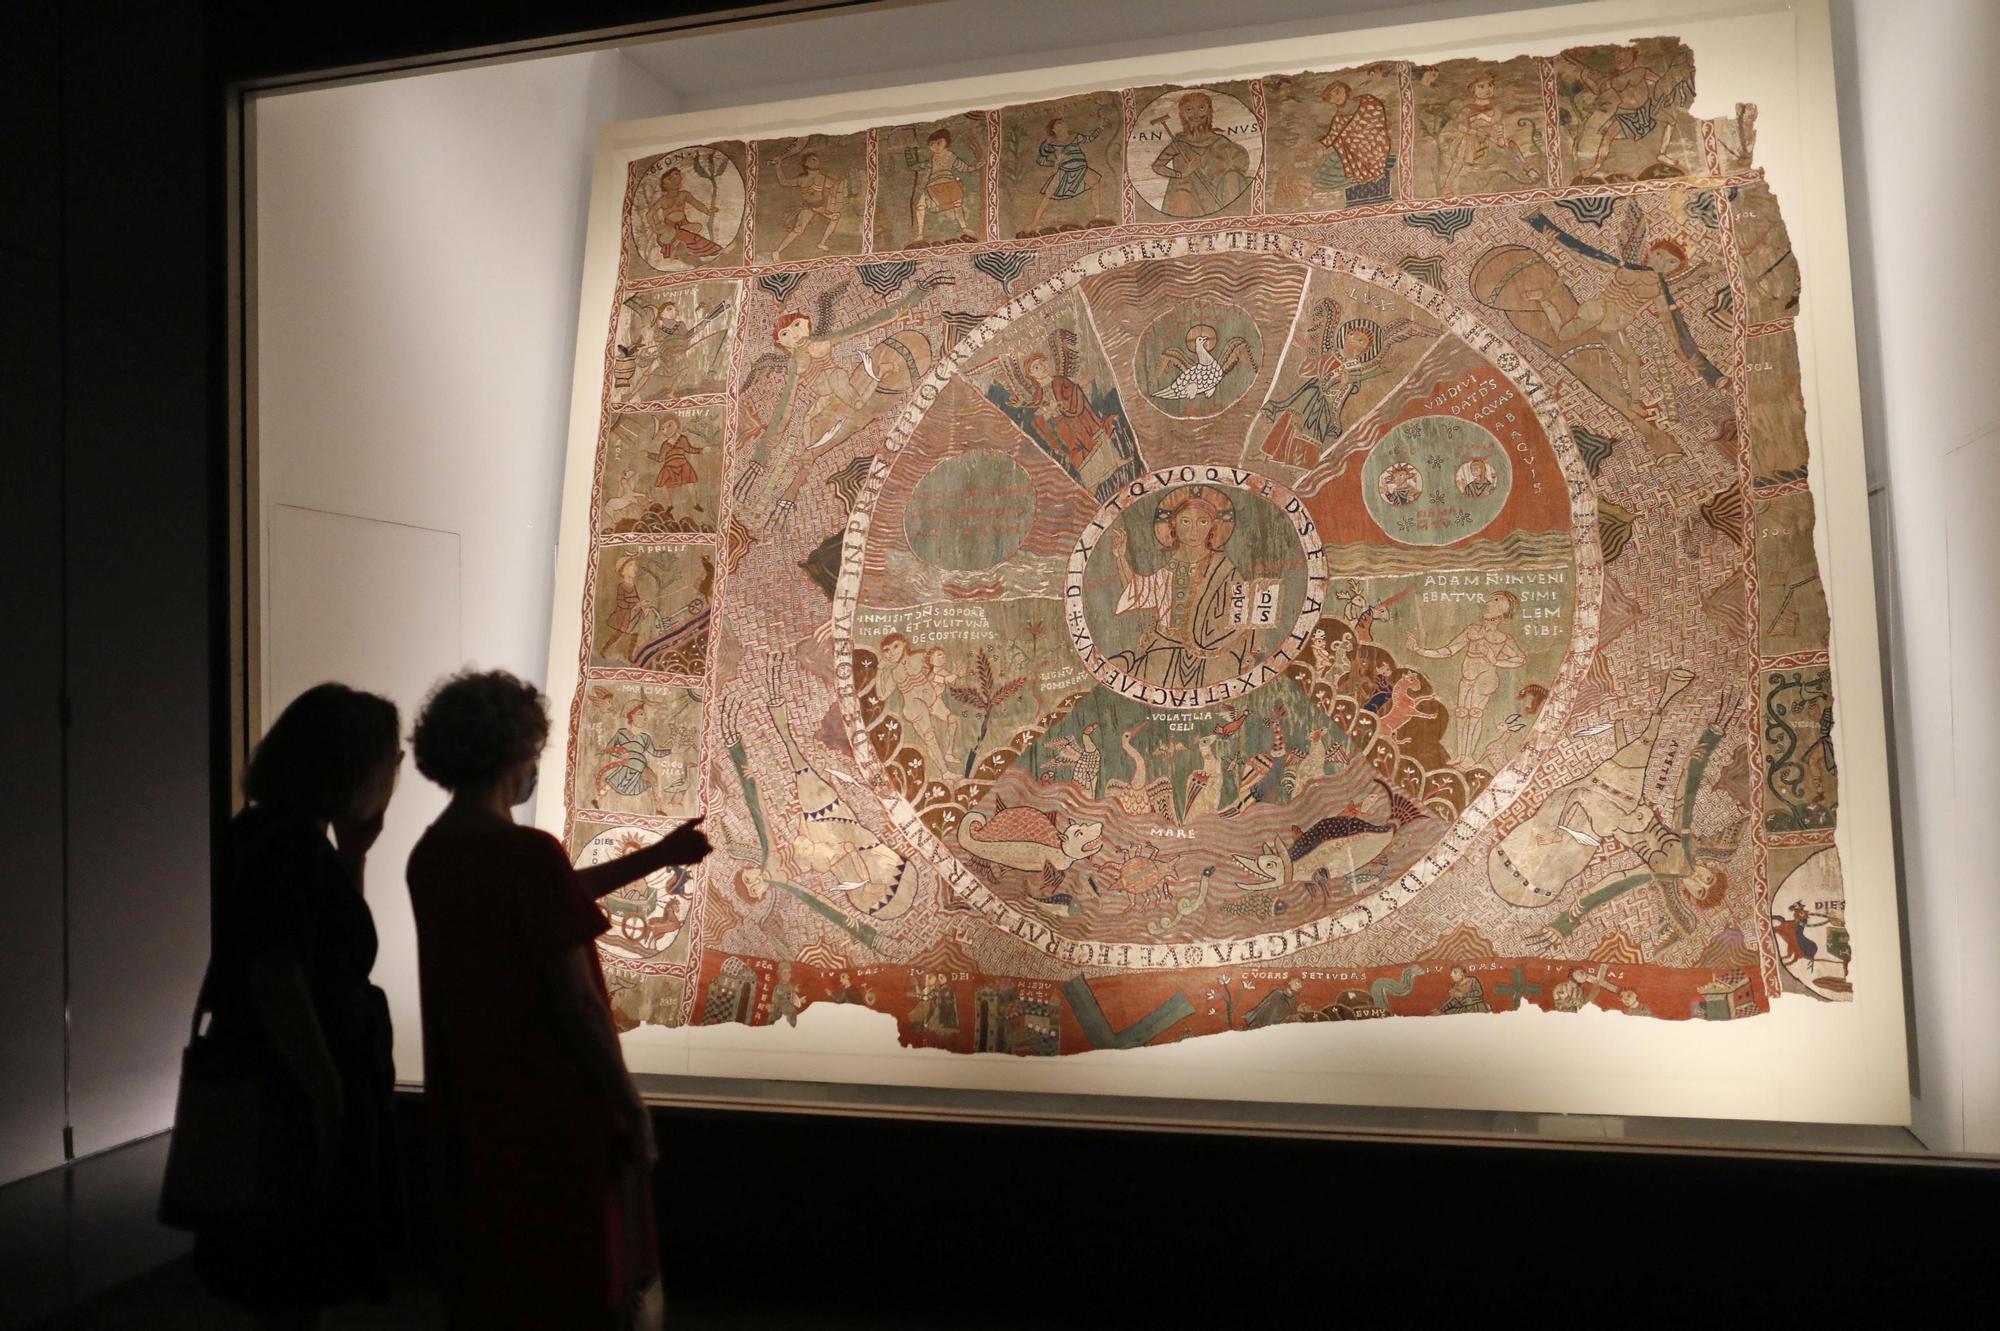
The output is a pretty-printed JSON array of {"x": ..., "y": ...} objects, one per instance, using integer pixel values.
[{"x": 1919, "y": 213}]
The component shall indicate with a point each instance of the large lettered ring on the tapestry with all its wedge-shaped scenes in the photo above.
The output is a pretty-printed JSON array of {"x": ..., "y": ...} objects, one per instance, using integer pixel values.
[{"x": 1159, "y": 672}]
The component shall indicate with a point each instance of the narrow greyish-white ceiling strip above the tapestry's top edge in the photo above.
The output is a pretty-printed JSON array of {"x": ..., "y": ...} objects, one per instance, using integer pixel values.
[{"x": 953, "y": 39}]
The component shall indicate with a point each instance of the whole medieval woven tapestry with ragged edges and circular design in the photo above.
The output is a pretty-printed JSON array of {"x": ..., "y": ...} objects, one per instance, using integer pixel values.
[{"x": 1191, "y": 559}]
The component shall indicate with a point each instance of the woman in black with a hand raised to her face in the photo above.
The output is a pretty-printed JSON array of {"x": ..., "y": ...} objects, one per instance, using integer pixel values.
[{"x": 289, "y": 990}]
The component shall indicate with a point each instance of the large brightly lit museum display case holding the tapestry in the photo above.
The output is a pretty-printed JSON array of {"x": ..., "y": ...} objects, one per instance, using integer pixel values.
[{"x": 1313, "y": 581}]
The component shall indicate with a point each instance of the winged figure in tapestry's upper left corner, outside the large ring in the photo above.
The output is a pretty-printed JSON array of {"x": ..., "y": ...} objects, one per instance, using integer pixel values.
[{"x": 805, "y": 359}]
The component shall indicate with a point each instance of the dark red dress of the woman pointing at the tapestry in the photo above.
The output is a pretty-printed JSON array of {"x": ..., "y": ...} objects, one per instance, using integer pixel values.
[{"x": 537, "y": 1226}]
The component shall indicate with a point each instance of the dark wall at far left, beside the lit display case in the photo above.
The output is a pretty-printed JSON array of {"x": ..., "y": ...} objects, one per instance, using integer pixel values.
[{"x": 105, "y": 603}]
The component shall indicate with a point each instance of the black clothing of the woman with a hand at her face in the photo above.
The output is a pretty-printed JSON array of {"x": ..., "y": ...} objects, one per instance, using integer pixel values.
[{"x": 287, "y": 898}]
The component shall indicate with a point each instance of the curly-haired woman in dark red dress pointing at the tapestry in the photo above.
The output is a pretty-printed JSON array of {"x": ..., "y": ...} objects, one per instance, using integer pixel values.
[{"x": 541, "y": 1148}]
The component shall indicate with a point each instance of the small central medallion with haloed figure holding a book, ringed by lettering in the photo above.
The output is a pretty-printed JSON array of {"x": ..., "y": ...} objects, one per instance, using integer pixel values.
[{"x": 1193, "y": 587}]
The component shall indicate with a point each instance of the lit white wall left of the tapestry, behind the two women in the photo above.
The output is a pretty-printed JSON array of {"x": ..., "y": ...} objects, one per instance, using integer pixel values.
[{"x": 417, "y": 257}]
